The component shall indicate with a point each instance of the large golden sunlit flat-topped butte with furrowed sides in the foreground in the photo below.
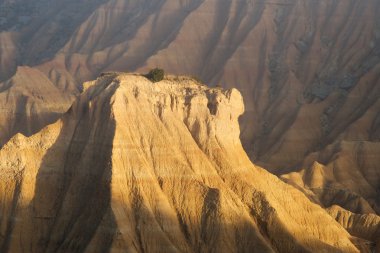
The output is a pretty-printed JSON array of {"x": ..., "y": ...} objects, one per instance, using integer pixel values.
[{"x": 149, "y": 168}]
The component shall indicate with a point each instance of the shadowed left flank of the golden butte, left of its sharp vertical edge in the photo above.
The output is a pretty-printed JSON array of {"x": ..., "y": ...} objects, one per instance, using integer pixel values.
[{"x": 64, "y": 194}]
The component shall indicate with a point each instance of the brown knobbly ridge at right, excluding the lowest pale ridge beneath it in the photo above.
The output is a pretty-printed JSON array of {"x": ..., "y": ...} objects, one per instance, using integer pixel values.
[{"x": 342, "y": 177}]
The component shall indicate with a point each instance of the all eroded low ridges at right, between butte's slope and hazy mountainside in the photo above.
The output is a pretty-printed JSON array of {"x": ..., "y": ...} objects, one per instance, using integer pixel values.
[{"x": 347, "y": 175}]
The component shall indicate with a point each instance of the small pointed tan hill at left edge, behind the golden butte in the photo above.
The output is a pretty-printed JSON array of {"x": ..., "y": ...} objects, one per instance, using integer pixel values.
[{"x": 28, "y": 102}]
